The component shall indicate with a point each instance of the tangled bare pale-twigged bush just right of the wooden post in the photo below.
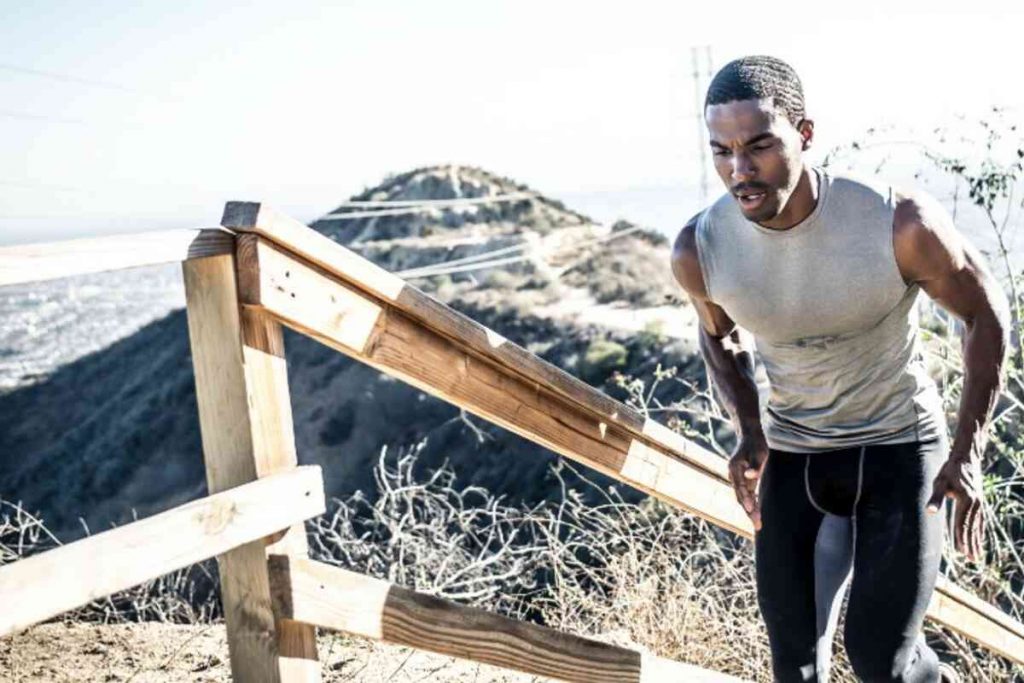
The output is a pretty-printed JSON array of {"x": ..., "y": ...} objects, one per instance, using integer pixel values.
[{"x": 463, "y": 545}]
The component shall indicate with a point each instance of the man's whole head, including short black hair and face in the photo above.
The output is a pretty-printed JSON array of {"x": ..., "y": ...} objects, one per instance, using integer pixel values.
[{"x": 755, "y": 115}]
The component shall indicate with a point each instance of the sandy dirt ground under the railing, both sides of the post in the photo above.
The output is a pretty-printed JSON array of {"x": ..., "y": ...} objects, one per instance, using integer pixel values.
[{"x": 159, "y": 653}]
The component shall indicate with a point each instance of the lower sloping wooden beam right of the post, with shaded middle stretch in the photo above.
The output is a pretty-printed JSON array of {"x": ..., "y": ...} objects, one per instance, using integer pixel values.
[{"x": 343, "y": 601}]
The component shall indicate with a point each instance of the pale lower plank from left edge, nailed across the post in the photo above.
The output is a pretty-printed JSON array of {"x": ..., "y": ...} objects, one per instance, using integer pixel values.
[{"x": 44, "y": 586}]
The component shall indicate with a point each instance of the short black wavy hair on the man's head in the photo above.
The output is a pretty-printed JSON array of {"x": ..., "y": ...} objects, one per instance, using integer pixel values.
[{"x": 759, "y": 77}]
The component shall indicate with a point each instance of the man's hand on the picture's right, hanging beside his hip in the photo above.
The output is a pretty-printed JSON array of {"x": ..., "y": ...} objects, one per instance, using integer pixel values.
[{"x": 961, "y": 480}]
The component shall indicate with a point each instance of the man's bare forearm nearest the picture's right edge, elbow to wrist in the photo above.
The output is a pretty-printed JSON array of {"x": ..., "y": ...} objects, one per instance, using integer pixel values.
[{"x": 986, "y": 343}]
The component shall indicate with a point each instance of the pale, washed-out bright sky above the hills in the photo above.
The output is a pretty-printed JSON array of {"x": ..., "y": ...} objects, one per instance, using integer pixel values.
[{"x": 119, "y": 117}]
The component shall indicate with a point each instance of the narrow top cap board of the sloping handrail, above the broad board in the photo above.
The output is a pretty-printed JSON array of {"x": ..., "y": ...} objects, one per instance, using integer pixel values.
[{"x": 363, "y": 276}]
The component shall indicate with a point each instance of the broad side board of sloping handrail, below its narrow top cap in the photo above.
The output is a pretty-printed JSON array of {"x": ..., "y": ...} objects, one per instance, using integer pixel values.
[{"x": 315, "y": 303}]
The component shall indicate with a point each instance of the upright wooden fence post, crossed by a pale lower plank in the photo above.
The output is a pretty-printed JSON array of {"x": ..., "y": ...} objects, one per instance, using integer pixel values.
[{"x": 246, "y": 424}]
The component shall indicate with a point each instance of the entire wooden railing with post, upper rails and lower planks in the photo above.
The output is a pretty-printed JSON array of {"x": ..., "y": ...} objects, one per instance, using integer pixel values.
[{"x": 264, "y": 271}]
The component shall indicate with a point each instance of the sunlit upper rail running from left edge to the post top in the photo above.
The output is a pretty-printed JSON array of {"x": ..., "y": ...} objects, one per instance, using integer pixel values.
[{"x": 30, "y": 264}]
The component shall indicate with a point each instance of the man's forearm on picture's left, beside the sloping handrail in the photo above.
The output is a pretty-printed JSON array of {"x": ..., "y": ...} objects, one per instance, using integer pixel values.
[{"x": 731, "y": 367}]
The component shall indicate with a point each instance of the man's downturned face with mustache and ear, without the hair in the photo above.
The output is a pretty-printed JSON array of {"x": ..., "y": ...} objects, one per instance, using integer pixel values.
[{"x": 757, "y": 153}]
